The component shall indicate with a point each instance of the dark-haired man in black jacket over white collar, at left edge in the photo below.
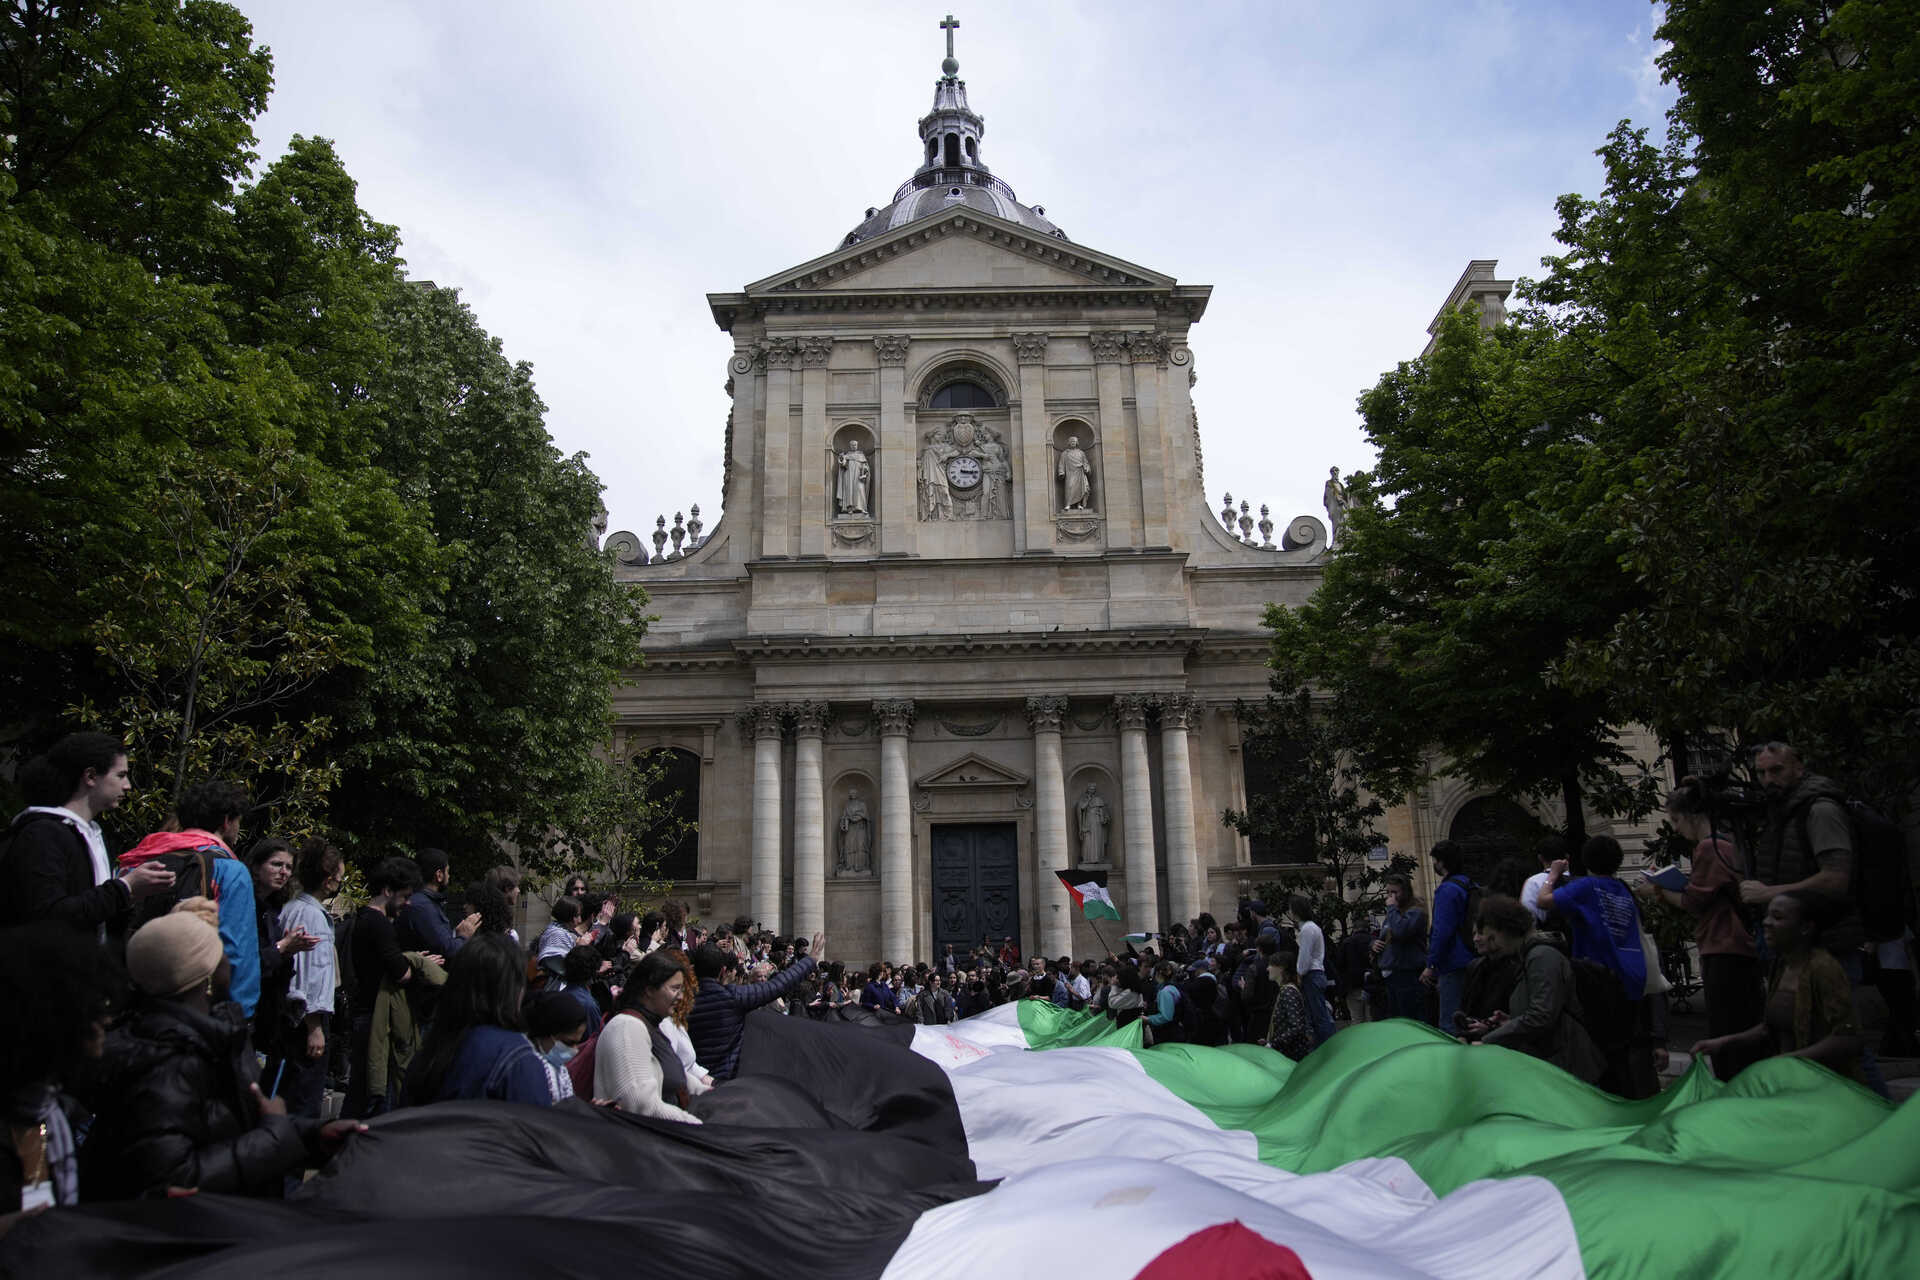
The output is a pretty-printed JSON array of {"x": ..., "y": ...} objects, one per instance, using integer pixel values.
[{"x": 57, "y": 857}]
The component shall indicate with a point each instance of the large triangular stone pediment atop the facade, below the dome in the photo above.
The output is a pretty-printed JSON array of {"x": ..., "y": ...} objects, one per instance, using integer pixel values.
[{"x": 967, "y": 250}]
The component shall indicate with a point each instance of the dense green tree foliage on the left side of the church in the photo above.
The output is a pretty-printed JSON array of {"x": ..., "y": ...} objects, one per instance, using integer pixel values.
[{"x": 272, "y": 510}]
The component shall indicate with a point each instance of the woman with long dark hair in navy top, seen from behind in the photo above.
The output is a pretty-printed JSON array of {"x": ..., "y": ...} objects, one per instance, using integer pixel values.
[{"x": 477, "y": 1047}]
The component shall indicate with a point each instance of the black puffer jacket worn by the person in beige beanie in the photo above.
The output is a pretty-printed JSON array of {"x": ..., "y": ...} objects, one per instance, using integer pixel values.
[{"x": 174, "y": 1108}]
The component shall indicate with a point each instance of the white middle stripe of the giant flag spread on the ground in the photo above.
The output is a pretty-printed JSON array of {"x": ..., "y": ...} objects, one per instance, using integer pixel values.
[{"x": 1107, "y": 1170}]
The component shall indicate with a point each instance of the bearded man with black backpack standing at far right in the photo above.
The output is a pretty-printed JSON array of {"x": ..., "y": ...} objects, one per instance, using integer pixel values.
[{"x": 1810, "y": 849}]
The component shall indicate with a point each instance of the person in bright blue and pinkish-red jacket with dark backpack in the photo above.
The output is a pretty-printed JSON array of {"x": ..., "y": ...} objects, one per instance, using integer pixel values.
[{"x": 203, "y": 861}]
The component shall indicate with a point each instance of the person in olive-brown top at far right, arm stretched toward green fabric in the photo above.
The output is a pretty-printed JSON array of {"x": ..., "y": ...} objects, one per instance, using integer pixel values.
[{"x": 1810, "y": 997}]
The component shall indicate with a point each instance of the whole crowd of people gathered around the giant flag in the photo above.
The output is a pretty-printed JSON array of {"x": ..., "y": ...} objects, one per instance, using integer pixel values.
[{"x": 193, "y": 1008}]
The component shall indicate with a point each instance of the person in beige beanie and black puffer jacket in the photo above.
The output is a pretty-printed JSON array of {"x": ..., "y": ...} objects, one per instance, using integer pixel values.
[{"x": 178, "y": 1102}]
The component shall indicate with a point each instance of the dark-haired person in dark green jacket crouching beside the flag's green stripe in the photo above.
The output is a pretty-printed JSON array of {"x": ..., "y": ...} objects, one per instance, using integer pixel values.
[{"x": 1541, "y": 1016}]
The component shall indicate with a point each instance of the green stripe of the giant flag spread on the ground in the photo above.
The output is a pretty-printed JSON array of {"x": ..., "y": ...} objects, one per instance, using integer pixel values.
[{"x": 1788, "y": 1170}]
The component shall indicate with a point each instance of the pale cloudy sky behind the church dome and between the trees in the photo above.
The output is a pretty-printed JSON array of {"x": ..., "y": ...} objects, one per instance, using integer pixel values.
[{"x": 587, "y": 174}]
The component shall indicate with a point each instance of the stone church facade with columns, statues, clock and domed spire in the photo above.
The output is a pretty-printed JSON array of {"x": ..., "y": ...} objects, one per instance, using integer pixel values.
[{"x": 969, "y": 617}]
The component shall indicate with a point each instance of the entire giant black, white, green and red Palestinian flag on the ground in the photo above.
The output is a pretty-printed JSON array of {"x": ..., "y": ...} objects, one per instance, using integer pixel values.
[{"x": 1042, "y": 1143}]
